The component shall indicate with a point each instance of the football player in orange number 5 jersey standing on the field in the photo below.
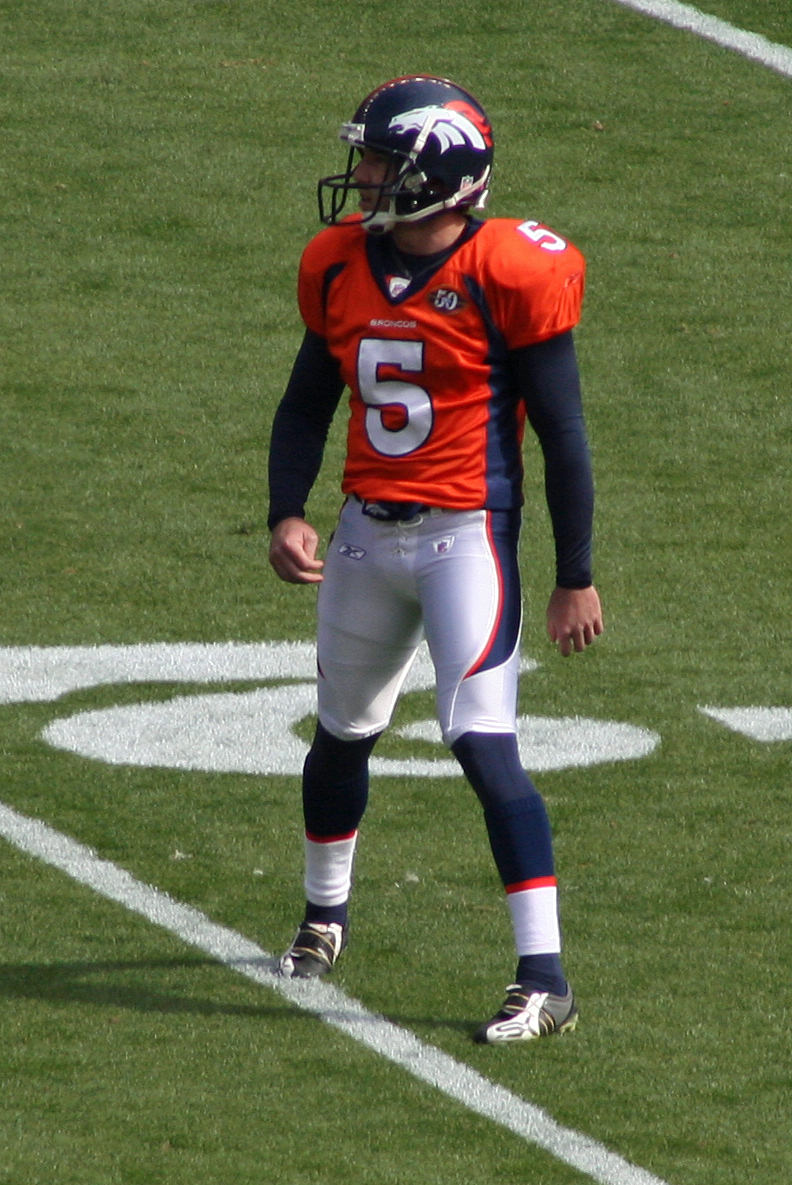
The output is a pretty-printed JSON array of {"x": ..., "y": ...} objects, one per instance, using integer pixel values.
[{"x": 449, "y": 332}]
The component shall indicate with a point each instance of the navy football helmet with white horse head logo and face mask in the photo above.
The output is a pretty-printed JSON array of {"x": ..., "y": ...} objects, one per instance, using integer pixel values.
[{"x": 439, "y": 140}]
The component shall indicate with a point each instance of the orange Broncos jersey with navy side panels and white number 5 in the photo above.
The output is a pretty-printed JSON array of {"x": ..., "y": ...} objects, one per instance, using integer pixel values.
[{"x": 435, "y": 417}]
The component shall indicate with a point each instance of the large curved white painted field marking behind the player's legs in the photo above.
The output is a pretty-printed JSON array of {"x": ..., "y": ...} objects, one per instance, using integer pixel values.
[{"x": 253, "y": 733}]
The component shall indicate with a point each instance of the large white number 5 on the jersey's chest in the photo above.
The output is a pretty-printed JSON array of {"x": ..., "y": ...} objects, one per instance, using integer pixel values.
[{"x": 399, "y": 415}]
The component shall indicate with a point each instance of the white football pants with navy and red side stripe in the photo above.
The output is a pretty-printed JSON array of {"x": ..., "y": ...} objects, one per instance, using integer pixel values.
[{"x": 388, "y": 586}]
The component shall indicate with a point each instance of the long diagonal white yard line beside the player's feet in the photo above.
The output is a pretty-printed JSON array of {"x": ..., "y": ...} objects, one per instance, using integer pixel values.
[{"x": 328, "y": 1003}]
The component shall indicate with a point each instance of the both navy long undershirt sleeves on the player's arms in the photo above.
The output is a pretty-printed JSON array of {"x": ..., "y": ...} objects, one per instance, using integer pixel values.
[{"x": 547, "y": 381}]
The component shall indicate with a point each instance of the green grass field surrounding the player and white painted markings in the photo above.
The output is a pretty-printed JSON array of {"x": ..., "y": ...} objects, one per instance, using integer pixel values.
[{"x": 158, "y": 175}]
